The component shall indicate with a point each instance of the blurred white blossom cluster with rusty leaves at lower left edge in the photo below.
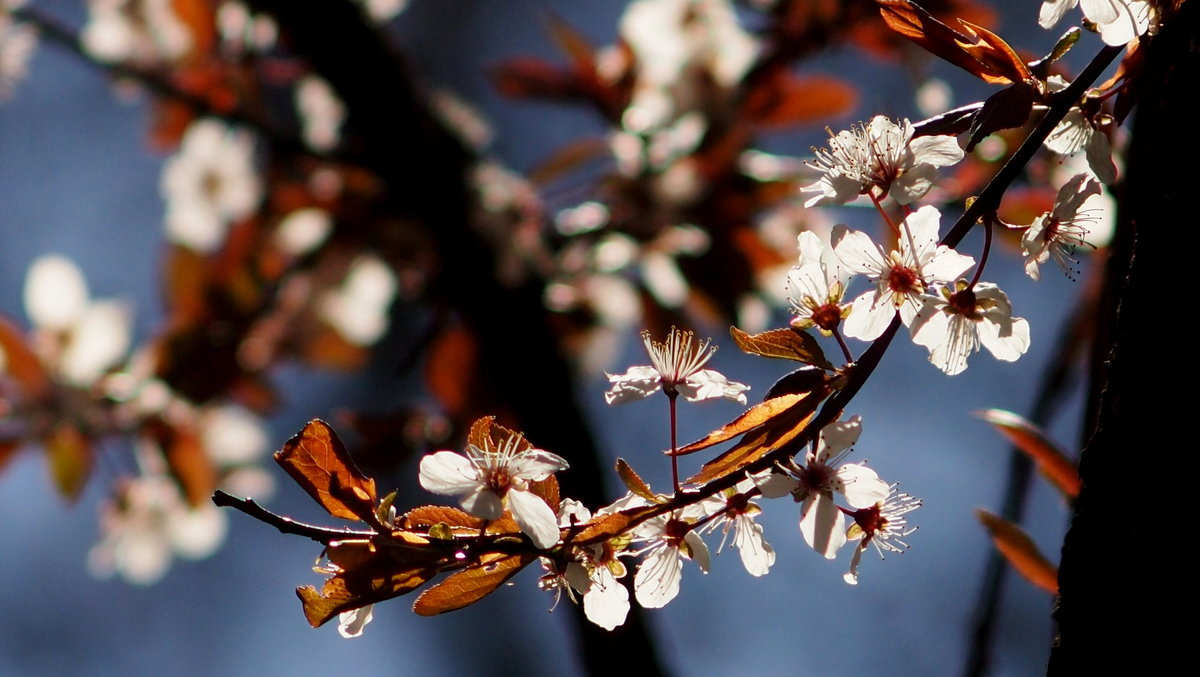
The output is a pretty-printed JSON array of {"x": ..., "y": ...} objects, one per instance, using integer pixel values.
[{"x": 74, "y": 388}]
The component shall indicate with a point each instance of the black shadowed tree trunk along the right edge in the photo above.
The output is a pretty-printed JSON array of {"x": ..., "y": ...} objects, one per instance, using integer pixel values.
[{"x": 1126, "y": 584}]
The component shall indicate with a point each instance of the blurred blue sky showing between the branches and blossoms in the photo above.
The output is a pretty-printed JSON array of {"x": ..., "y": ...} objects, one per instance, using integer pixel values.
[{"x": 80, "y": 178}]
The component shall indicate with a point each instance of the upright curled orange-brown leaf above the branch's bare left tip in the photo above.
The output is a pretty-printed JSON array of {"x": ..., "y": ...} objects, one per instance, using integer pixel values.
[{"x": 319, "y": 462}]
